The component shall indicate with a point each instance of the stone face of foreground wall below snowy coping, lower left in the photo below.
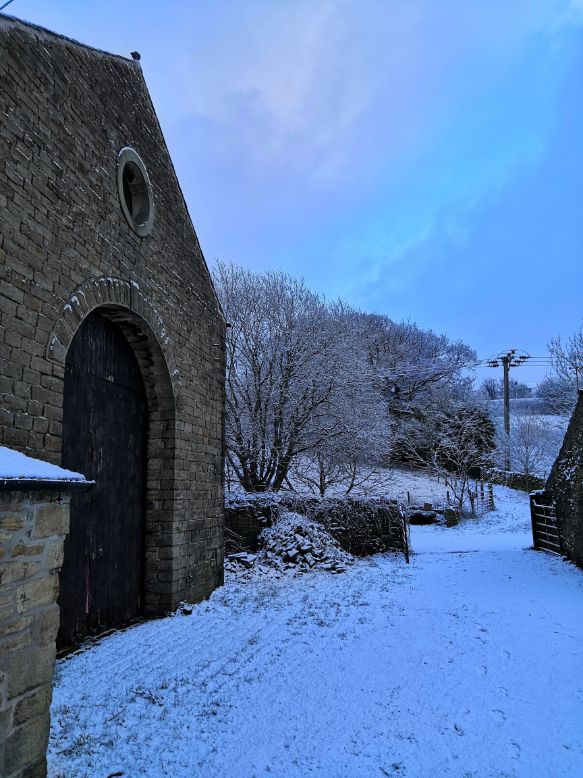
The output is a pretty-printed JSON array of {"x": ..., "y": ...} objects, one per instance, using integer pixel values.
[{"x": 33, "y": 525}]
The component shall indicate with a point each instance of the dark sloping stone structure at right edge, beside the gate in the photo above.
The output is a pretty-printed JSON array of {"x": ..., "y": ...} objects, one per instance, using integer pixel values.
[{"x": 565, "y": 487}]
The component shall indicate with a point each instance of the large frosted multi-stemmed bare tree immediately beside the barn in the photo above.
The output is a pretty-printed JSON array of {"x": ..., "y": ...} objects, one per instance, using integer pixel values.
[{"x": 281, "y": 372}]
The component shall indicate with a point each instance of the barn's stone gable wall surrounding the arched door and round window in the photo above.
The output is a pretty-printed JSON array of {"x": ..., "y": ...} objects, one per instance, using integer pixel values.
[{"x": 66, "y": 248}]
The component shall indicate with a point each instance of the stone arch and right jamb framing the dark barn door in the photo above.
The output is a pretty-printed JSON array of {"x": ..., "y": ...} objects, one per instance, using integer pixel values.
[{"x": 123, "y": 303}]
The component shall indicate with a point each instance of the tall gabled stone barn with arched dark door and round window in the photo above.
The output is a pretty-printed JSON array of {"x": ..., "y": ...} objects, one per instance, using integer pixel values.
[{"x": 111, "y": 336}]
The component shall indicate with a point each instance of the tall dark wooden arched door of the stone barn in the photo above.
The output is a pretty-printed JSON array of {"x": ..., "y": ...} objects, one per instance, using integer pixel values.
[{"x": 104, "y": 437}]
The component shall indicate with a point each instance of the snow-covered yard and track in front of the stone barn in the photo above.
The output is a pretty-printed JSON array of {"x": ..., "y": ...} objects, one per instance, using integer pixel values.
[{"x": 467, "y": 662}]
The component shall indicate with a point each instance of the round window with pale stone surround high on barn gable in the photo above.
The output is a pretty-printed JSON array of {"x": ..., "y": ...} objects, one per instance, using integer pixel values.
[{"x": 135, "y": 191}]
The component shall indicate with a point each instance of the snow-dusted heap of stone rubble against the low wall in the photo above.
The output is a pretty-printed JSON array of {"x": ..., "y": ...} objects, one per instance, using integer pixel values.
[{"x": 294, "y": 542}]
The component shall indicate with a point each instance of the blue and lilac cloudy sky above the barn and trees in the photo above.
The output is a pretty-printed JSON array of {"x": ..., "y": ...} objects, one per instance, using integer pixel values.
[{"x": 421, "y": 158}]
